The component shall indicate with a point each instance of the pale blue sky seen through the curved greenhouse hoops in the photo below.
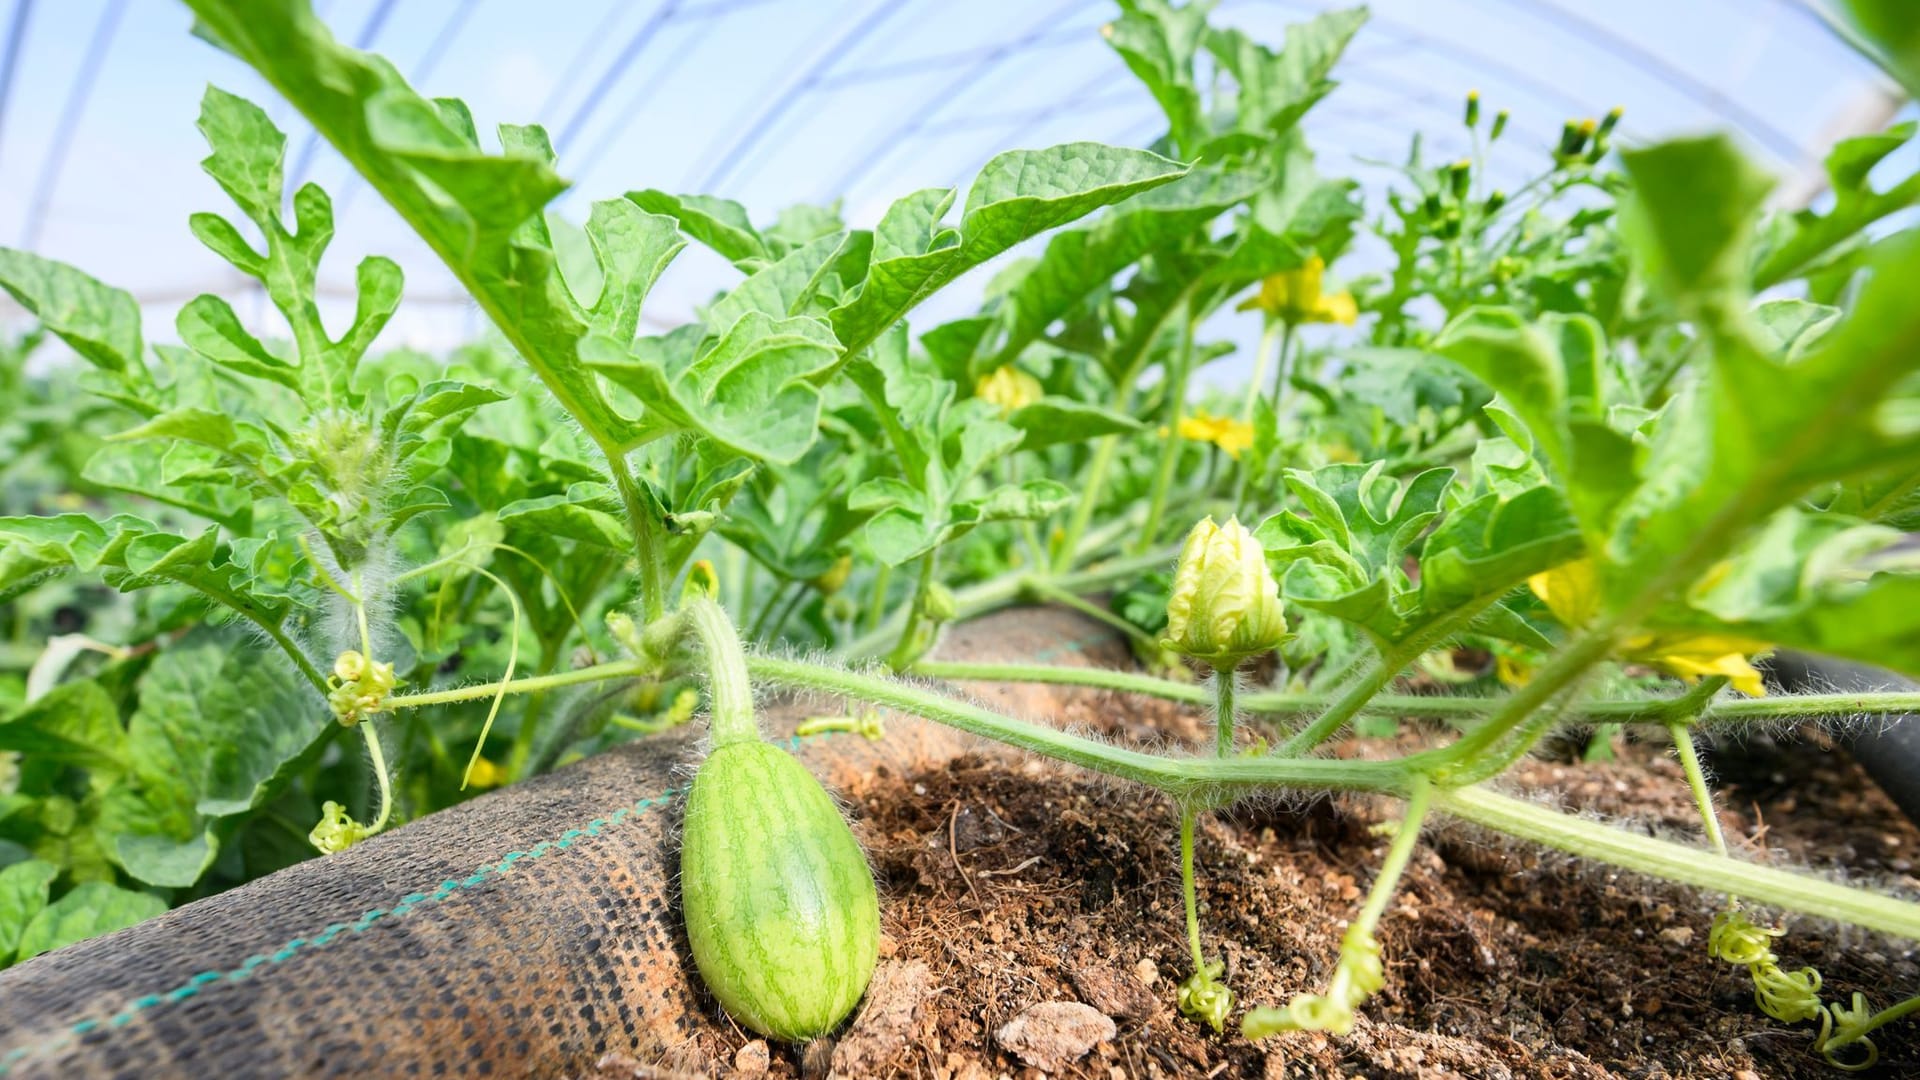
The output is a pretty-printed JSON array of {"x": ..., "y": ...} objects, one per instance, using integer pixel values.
[{"x": 807, "y": 101}]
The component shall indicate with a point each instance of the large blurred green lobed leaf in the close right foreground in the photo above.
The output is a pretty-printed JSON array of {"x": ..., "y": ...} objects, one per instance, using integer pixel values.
[{"x": 1756, "y": 433}]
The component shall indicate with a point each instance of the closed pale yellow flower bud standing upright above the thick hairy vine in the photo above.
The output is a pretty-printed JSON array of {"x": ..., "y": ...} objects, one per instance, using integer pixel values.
[{"x": 1226, "y": 604}]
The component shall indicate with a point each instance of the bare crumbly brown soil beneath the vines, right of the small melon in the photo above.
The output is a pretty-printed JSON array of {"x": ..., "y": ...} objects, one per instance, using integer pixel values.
[{"x": 1017, "y": 885}]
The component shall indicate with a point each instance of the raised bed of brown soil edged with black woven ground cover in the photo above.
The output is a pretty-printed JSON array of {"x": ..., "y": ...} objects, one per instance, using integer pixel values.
[{"x": 535, "y": 933}]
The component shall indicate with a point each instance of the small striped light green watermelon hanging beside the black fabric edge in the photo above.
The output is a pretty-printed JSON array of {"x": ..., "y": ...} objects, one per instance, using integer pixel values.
[{"x": 779, "y": 900}]
